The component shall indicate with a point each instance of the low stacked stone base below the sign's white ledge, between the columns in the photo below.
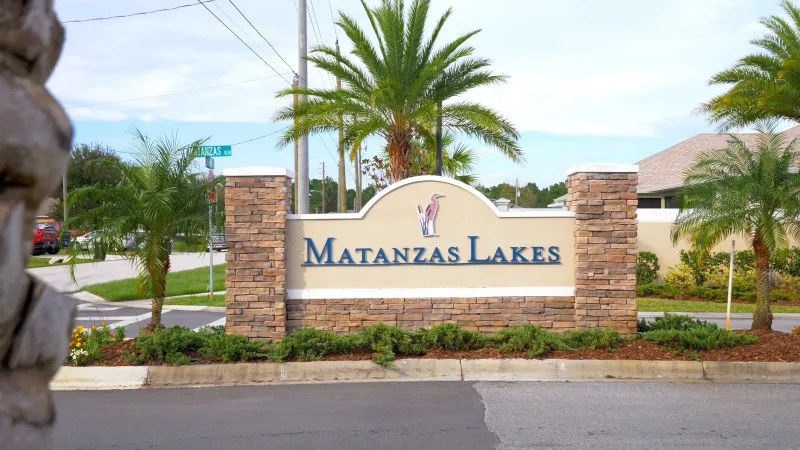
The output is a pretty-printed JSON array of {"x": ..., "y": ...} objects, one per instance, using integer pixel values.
[{"x": 481, "y": 314}]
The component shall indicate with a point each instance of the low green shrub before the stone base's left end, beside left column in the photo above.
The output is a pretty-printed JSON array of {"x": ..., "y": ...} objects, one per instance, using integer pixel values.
[{"x": 308, "y": 344}]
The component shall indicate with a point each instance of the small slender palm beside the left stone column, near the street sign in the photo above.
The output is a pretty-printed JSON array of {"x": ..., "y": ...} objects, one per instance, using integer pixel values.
[{"x": 160, "y": 194}]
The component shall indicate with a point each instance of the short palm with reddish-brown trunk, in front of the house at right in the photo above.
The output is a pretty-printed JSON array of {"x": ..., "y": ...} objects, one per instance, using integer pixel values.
[{"x": 738, "y": 190}]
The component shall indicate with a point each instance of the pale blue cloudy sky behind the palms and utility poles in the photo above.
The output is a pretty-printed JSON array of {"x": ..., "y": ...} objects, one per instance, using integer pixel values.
[{"x": 611, "y": 81}]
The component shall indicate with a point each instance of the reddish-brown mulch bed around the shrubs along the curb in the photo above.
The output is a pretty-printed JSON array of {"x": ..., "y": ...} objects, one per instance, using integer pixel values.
[{"x": 772, "y": 346}]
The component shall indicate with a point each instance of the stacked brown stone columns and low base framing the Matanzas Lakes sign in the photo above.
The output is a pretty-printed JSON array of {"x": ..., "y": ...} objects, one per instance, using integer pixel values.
[{"x": 603, "y": 199}]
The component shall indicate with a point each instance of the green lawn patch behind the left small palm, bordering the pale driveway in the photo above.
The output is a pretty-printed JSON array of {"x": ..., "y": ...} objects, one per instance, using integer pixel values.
[{"x": 194, "y": 281}]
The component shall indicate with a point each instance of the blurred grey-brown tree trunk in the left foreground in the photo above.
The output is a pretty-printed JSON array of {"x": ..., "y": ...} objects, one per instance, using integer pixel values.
[{"x": 35, "y": 137}]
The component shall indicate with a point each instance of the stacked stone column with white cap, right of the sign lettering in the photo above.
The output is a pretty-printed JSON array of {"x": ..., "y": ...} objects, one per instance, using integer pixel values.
[{"x": 603, "y": 197}]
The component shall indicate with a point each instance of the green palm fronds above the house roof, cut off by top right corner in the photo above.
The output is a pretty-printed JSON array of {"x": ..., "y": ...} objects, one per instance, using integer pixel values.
[{"x": 765, "y": 84}]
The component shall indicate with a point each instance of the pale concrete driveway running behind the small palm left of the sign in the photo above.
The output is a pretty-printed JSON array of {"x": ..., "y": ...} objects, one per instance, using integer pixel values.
[{"x": 58, "y": 276}]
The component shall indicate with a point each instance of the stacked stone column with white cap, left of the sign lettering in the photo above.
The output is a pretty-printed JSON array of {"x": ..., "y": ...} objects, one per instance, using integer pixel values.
[{"x": 257, "y": 200}]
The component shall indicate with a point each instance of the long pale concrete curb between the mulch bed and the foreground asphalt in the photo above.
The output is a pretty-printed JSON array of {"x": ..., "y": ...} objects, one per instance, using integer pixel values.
[{"x": 85, "y": 378}]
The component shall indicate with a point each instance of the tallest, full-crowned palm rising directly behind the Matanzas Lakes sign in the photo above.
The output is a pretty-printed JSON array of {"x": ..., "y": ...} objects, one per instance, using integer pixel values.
[{"x": 394, "y": 91}]
